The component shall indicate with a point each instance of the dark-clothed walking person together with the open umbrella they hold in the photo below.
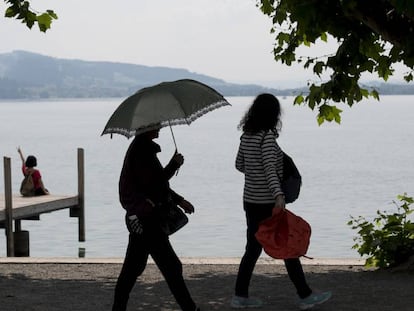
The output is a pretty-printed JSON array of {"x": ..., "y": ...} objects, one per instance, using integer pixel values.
[{"x": 144, "y": 189}]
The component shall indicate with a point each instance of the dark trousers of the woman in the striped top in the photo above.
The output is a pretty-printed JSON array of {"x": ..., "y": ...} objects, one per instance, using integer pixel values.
[{"x": 255, "y": 213}]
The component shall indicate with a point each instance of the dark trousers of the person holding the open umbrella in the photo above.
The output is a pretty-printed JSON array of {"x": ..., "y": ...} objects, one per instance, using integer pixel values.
[{"x": 154, "y": 243}]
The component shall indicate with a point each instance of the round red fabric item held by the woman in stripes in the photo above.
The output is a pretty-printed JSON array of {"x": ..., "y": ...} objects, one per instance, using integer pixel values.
[{"x": 284, "y": 235}]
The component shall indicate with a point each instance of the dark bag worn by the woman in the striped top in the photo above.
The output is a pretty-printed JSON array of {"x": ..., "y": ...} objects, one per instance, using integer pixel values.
[{"x": 292, "y": 181}]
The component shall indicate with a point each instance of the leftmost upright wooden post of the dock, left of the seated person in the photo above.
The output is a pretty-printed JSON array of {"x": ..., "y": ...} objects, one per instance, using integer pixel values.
[{"x": 8, "y": 207}]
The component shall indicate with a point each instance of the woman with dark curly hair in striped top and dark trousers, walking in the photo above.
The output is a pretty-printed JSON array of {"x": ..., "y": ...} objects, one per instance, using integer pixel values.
[{"x": 260, "y": 159}]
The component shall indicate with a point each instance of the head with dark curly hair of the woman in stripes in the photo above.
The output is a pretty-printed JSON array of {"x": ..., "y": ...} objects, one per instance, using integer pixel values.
[{"x": 263, "y": 115}]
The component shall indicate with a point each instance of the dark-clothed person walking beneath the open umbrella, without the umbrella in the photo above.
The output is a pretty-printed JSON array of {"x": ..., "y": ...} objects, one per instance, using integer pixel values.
[{"x": 144, "y": 191}]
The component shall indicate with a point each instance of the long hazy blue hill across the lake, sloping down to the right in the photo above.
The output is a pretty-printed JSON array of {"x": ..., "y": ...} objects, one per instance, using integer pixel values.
[{"x": 29, "y": 75}]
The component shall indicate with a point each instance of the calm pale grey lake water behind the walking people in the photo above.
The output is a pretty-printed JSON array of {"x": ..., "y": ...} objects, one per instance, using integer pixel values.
[{"x": 350, "y": 169}]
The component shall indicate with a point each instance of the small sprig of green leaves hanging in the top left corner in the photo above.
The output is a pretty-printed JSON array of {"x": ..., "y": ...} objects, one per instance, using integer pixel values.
[{"x": 21, "y": 10}]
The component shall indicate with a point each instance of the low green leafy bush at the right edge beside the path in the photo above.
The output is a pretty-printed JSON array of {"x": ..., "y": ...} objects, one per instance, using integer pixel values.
[{"x": 389, "y": 239}]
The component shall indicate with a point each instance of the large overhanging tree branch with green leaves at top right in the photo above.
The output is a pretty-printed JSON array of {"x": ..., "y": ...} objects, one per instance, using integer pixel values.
[{"x": 372, "y": 36}]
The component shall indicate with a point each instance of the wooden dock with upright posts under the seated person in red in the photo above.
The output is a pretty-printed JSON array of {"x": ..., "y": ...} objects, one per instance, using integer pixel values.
[{"x": 14, "y": 208}]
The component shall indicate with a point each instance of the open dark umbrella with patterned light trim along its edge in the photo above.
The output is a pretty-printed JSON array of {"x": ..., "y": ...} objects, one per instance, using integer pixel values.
[{"x": 164, "y": 104}]
